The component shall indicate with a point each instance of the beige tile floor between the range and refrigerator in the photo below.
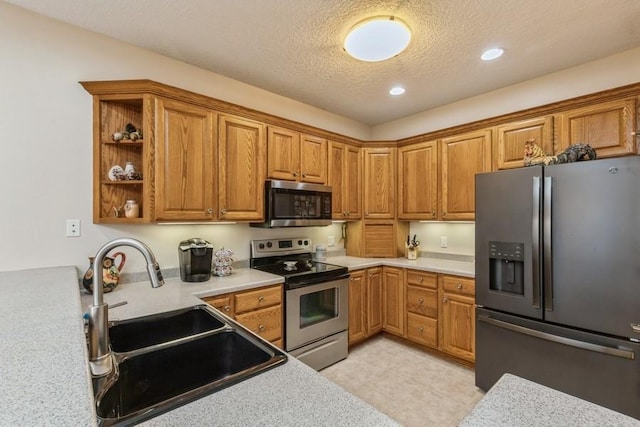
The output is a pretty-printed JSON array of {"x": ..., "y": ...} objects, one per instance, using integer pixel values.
[{"x": 407, "y": 383}]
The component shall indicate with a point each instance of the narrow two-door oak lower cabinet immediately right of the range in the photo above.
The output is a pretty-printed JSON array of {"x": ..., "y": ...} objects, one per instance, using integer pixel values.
[{"x": 365, "y": 304}]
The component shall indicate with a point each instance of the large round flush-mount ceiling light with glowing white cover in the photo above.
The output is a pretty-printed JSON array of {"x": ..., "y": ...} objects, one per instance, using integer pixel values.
[{"x": 378, "y": 38}]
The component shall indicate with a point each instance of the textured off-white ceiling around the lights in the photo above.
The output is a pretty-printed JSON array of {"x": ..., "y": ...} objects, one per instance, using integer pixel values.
[{"x": 294, "y": 47}]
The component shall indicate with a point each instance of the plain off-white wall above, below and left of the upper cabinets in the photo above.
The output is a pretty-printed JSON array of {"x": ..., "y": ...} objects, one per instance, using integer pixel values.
[{"x": 45, "y": 120}]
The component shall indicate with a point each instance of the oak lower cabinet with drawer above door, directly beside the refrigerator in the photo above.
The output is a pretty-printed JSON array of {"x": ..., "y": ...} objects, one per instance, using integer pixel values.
[{"x": 457, "y": 316}]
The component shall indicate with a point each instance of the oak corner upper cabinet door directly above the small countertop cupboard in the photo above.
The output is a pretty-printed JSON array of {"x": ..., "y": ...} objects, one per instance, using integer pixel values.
[{"x": 379, "y": 183}]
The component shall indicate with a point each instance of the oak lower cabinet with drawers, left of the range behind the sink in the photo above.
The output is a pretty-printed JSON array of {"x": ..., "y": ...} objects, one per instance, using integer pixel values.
[{"x": 259, "y": 310}]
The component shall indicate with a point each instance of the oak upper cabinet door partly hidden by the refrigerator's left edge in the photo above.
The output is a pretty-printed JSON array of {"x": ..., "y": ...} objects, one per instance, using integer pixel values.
[{"x": 462, "y": 157}]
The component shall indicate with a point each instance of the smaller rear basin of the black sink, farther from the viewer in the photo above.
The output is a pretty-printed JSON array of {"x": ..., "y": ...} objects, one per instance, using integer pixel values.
[{"x": 133, "y": 334}]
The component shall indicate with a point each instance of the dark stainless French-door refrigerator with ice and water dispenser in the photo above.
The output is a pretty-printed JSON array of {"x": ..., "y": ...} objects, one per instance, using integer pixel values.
[{"x": 558, "y": 279}]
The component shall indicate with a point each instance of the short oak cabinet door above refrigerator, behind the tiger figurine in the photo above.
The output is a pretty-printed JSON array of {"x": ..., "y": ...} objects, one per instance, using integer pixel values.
[{"x": 508, "y": 149}]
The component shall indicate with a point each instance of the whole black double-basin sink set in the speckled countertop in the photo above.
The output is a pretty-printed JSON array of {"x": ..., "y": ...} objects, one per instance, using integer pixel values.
[{"x": 152, "y": 376}]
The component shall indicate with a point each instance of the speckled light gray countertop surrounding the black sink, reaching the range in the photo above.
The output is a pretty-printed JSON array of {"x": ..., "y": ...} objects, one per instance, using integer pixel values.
[{"x": 45, "y": 375}]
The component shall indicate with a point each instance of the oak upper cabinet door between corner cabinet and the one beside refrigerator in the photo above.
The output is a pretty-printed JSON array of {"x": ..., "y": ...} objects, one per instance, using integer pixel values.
[{"x": 418, "y": 181}]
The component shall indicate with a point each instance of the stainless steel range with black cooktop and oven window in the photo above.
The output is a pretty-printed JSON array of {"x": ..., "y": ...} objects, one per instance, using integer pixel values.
[{"x": 316, "y": 299}]
